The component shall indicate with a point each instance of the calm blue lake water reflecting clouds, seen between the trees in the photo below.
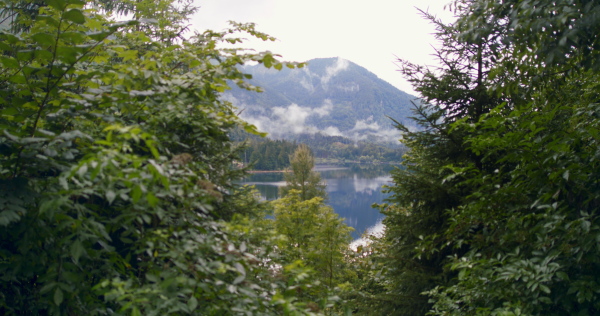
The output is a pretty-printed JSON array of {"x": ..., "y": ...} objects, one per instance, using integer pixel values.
[{"x": 351, "y": 191}]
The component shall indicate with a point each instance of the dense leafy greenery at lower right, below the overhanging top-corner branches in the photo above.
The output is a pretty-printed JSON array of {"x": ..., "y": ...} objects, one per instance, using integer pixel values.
[{"x": 538, "y": 246}]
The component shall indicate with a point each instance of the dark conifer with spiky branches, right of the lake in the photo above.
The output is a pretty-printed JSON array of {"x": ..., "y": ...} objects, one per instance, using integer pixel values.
[{"x": 423, "y": 190}]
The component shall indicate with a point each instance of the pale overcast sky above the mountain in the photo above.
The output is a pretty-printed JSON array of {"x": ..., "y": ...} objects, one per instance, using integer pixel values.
[{"x": 370, "y": 33}]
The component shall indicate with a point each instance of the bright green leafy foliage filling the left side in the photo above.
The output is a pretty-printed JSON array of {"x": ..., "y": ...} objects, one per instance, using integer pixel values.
[{"x": 116, "y": 169}]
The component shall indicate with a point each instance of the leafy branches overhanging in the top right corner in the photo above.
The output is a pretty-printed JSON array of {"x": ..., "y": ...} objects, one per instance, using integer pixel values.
[{"x": 534, "y": 37}]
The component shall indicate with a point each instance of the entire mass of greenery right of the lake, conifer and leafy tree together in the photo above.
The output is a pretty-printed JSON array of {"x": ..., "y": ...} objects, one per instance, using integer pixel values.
[{"x": 498, "y": 203}]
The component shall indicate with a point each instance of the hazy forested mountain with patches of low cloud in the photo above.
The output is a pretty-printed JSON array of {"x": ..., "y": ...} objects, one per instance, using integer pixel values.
[{"x": 332, "y": 96}]
